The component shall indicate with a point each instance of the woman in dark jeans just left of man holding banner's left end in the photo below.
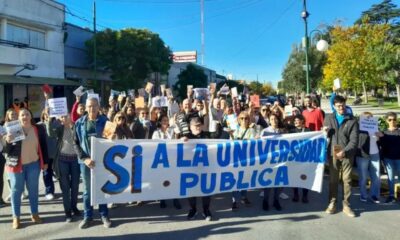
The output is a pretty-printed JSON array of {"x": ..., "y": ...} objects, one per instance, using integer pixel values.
[{"x": 67, "y": 167}]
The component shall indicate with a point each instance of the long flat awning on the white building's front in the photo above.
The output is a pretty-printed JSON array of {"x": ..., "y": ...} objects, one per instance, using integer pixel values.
[{"x": 10, "y": 79}]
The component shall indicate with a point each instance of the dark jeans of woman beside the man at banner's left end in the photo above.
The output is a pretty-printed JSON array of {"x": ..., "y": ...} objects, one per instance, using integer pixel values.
[{"x": 69, "y": 184}]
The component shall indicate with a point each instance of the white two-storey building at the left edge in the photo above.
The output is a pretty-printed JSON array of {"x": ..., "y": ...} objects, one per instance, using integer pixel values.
[{"x": 32, "y": 51}]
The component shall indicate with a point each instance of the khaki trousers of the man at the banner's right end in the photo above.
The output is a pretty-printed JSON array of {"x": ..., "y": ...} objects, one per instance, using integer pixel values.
[{"x": 340, "y": 168}]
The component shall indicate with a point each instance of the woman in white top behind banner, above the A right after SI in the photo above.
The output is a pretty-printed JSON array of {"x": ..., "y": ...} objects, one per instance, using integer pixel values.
[{"x": 166, "y": 133}]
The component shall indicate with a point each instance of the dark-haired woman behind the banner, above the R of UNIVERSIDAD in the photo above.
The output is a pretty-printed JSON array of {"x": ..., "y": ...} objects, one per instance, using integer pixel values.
[{"x": 275, "y": 128}]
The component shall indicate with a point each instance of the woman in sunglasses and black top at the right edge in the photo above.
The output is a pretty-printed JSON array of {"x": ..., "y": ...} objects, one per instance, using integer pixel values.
[{"x": 390, "y": 141}]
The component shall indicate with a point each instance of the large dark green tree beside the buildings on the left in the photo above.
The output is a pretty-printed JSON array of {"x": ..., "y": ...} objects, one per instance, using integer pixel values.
[{"x": 131, "y": 55}]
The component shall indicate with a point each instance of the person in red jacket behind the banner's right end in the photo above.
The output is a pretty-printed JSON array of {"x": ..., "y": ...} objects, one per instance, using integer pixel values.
[{"x": 313, "y": 116}]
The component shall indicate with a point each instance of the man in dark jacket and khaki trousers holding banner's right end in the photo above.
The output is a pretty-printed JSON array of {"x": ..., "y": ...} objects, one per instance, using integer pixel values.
[{"x": 342, "y": 132}]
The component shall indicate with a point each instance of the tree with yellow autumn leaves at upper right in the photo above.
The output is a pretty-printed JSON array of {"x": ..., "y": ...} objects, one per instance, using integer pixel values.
[{"x": 352, "y": 56}]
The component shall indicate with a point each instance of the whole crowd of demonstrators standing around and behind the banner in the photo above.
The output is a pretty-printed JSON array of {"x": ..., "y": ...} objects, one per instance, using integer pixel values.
[{"x": 61, "y": 147}]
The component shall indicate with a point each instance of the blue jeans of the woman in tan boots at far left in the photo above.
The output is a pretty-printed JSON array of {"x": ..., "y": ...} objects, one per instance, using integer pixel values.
[{"x": 29, "y": 175}]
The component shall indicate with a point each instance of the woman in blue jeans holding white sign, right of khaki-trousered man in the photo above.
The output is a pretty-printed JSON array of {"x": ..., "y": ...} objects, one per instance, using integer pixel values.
[{"x": 368, "y": 162}]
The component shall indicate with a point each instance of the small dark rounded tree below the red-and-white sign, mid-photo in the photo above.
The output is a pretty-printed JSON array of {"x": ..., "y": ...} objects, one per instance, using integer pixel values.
[{"x": 192, "y": 75}]
